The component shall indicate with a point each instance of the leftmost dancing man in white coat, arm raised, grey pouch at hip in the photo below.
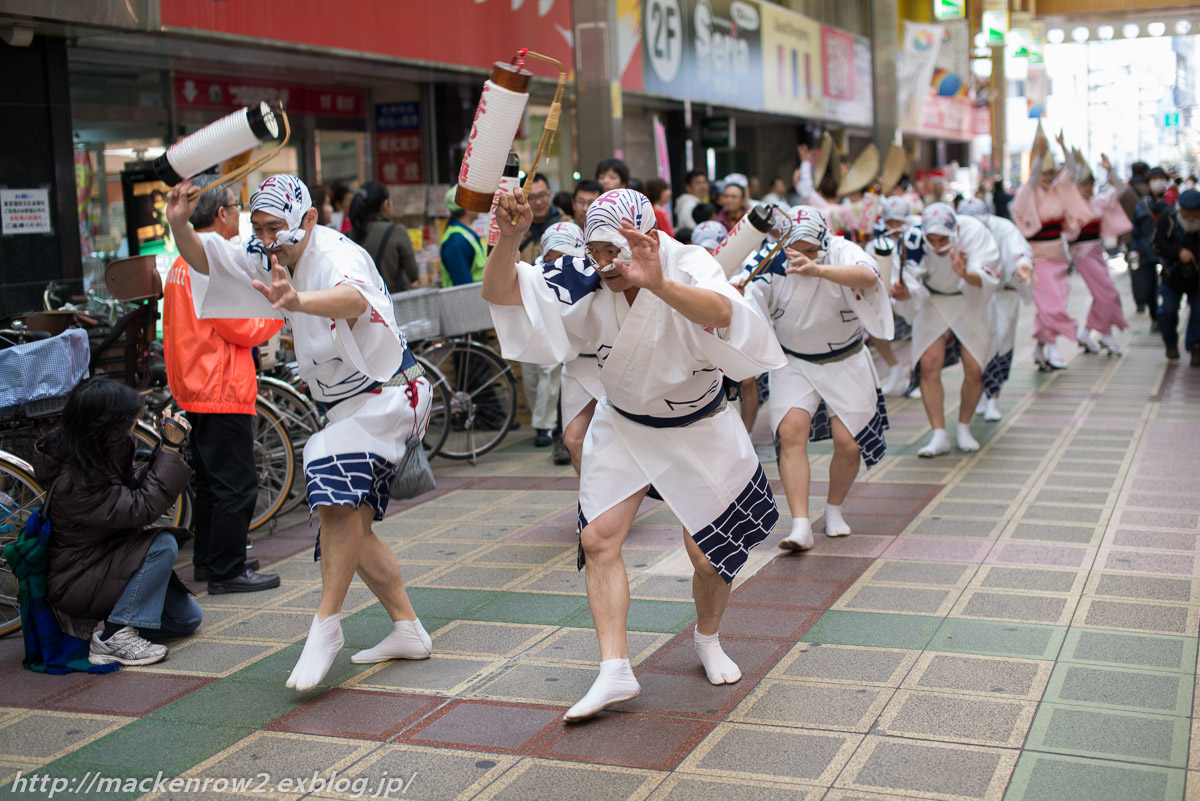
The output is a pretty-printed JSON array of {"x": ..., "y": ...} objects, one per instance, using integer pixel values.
[{"x": 356, "y": 363}]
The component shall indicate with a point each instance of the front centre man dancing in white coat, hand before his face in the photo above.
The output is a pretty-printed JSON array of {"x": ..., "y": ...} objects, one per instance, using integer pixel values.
[{"x": 665, "y": 326}]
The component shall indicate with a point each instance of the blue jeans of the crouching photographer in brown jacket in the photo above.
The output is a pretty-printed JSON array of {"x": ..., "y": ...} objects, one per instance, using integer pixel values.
[{"x": 149, "y": 604}]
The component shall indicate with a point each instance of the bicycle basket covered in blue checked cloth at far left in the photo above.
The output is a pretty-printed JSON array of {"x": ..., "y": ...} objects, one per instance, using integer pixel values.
[{"x": 44, "y": 369}]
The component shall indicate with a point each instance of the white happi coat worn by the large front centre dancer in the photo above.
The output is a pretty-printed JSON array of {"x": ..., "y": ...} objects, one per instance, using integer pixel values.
[{"x": 653, "y": 363}]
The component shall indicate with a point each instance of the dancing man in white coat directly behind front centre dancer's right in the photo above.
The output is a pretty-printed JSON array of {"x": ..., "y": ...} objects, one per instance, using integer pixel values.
[{"x": 823, "y": 294}]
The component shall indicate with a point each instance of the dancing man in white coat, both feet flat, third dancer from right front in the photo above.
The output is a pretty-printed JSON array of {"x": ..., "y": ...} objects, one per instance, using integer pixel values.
[{"x": 950, "y": 278}]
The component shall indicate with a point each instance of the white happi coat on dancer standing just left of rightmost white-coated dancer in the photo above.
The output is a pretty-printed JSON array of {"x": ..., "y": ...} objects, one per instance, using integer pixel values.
[{"x": 941, "y": 302}]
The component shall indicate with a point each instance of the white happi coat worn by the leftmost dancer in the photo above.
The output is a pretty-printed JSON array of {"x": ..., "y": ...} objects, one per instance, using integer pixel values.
[{"x": 337, "y": 363}]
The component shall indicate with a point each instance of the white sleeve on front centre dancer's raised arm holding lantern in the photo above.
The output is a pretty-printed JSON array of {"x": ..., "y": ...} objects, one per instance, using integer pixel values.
[{"x": 537, "y": 332}]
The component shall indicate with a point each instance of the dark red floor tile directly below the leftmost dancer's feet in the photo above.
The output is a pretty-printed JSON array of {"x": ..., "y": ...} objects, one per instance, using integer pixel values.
[{"x": 357, "y": 714}]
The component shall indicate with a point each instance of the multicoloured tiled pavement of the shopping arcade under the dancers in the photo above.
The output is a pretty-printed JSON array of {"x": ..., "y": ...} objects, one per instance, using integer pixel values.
[{"x": 1018, "y": 624}]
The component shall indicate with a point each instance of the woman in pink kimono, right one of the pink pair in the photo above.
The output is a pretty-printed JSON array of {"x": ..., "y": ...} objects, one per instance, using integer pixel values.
[{"x": 1088, "y": 254}]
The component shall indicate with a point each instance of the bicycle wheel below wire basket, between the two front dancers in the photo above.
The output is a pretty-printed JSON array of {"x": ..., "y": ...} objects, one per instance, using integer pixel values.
[{"x": 483, "y": 396}]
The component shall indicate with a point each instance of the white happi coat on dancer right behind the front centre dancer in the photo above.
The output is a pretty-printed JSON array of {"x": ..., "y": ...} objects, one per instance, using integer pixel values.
[{"x": 813, "y": 317}]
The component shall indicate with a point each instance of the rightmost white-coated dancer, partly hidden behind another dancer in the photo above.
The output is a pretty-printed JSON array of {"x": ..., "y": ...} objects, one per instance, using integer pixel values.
[{"x": 1016, "y": 287}]
